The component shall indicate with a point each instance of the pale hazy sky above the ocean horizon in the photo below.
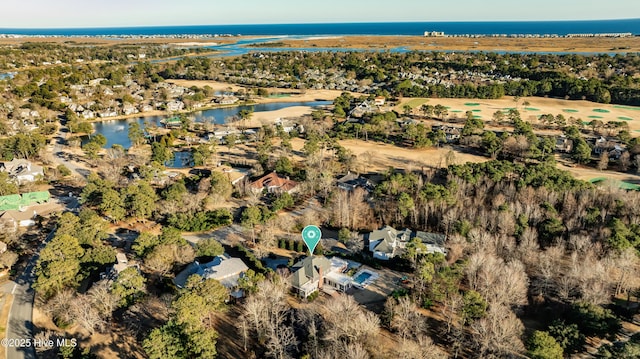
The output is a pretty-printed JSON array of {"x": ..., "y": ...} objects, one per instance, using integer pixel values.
[{"x": 113, "y": 13}]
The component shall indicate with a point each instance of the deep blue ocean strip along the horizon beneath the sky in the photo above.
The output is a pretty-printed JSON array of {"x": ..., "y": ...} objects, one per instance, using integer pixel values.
[{"x": 387, "y": 28}]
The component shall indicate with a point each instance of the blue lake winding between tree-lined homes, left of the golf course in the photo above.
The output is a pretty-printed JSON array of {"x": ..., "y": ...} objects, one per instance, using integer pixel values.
[{"x": 117, "y": 131}]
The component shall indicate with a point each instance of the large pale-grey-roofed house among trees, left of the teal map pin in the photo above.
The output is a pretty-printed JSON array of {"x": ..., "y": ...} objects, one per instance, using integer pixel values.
[{"x": 225, "y": 269}]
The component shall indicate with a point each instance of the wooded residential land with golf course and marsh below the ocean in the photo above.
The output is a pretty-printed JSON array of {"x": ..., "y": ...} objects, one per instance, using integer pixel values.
[{"x": 212, "y": 196}]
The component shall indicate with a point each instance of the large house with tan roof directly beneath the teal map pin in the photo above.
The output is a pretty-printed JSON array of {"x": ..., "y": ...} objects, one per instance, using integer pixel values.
[{"x": 315, "y": 272}]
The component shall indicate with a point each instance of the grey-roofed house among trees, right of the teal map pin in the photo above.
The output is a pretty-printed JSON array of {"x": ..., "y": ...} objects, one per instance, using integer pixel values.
[{"x": 388, "y": 242}]
